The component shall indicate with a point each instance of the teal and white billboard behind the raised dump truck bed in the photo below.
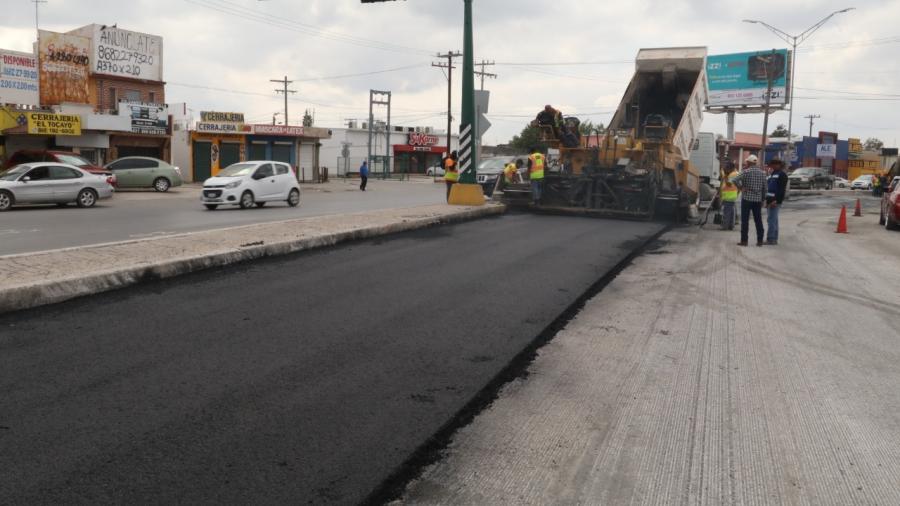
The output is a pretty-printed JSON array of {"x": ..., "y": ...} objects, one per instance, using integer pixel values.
[{"x": 739, "y": 79}]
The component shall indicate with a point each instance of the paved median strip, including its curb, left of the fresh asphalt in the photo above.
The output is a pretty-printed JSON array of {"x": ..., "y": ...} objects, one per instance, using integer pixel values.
[{"x": 34, "y": 279}]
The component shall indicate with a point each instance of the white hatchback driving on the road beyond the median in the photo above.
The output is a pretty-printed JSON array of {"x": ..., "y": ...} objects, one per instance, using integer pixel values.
[{"x": 247, "y": 184}]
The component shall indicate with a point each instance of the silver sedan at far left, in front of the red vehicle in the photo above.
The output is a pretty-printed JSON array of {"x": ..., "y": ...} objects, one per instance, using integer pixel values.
[{"x": 52, "y": 183}]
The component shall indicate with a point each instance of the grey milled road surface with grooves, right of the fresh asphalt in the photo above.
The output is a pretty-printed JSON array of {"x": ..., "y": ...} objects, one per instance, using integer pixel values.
[{"x": 707, "y": 374}]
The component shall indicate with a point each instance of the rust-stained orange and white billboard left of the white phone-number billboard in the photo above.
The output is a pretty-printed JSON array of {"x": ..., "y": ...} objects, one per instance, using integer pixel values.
[{"x": 64, "y": 64}]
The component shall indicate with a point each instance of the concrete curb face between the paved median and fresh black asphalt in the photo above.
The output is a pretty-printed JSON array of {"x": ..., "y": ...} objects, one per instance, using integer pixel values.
[{"x": 29, "y": 296}]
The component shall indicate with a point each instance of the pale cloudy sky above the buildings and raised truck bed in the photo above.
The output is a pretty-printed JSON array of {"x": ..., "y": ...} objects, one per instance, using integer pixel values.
[{"x": 575, "y": 54}]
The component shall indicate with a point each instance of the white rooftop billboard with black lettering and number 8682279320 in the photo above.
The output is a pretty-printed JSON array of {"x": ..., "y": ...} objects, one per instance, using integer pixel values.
[{"x": 124, "y": 53}]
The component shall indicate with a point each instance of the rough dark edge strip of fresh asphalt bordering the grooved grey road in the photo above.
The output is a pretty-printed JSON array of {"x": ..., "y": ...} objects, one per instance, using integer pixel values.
[{"x": 390, "y": 491}]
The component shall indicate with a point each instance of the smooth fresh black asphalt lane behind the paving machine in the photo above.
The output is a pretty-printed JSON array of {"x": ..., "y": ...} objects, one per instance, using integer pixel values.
[{"x": 293, "y": 380}]
